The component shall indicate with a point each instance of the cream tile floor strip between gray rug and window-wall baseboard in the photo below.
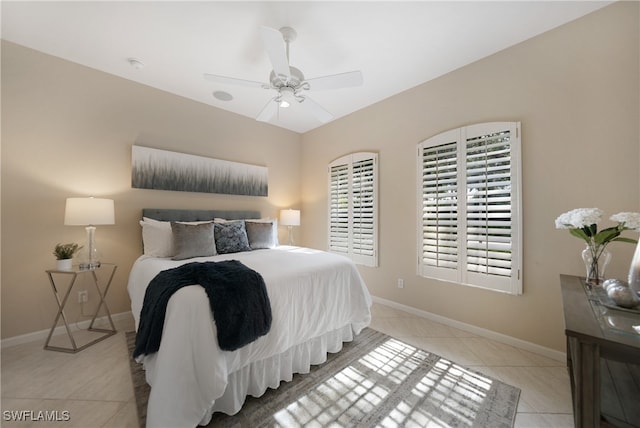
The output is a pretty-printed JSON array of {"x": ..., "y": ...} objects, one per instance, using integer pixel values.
[{"x": 545, "y": 400}]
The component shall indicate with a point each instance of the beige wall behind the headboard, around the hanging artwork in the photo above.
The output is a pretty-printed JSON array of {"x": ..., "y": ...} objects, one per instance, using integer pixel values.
[{"x": 67, "y": 130}]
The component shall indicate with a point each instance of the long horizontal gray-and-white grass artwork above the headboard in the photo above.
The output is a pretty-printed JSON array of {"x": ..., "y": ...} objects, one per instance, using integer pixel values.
[{"x": 165, "y": 170}]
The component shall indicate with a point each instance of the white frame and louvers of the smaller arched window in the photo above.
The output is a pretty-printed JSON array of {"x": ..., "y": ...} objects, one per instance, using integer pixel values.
[{"x": 354, "y": 250}]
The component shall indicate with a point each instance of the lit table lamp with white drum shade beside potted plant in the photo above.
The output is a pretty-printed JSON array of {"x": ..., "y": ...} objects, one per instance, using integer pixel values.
[{"x": 89, "y": 212}]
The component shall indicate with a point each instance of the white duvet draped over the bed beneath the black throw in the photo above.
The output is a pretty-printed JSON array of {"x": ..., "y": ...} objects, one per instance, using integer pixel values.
[{"x": 313, "y": 294}]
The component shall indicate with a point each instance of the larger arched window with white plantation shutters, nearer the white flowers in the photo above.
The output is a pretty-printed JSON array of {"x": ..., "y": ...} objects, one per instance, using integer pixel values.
[{"x": 469, "y": 208}]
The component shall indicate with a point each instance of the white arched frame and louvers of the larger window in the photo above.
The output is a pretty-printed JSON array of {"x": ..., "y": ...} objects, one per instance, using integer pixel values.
[{"x": 511, "y": 284}]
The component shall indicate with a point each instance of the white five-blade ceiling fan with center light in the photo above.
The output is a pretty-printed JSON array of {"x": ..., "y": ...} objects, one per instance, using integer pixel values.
[{"x": 288, "y": 81}]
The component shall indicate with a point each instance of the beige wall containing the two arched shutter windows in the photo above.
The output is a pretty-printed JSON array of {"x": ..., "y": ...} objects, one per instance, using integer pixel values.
[{"x": 576, "y": 91}]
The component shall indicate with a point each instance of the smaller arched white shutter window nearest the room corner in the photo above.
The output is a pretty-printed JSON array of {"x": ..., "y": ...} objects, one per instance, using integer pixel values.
[{"x": 353, "y": 207}]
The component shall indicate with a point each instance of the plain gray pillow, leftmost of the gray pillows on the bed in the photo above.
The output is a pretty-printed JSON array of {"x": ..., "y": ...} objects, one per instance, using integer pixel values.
[{"x": 193, "y": 240}]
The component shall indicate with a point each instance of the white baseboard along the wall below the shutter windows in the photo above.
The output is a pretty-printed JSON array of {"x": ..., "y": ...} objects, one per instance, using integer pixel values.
[{"x": 489, "y": 334}]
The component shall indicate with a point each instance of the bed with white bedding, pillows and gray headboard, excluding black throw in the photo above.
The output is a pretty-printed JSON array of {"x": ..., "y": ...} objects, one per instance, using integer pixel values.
[{"x": 318, "y": 302}]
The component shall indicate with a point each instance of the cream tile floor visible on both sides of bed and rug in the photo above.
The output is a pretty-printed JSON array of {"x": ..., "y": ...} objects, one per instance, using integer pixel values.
[{"x": 93, "y": 388}]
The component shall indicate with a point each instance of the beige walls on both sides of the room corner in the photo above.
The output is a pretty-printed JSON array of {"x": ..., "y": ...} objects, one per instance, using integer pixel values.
[{"x": 67, "y": 131}]
